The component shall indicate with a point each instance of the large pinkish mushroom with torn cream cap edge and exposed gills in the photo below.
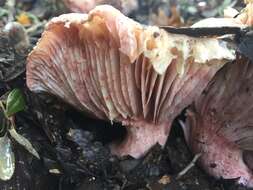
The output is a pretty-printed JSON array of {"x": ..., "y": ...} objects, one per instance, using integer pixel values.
[{"x": 113, "y": 68}]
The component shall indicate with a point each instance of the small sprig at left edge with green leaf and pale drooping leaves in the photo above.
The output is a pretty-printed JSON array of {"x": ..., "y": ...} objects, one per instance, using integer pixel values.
[{"x": 8, "y": 108}]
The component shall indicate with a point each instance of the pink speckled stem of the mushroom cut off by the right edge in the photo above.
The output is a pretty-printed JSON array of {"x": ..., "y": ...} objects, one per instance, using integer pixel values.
[{"x": 221, "y": 158}]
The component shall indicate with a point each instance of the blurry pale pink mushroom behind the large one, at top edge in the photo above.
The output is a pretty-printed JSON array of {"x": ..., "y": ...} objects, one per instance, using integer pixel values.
[{"x": 84, "y": 6}]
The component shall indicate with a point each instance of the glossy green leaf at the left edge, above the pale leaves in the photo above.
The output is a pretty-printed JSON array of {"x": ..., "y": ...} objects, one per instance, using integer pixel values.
[{"x": 15, "y": 102}]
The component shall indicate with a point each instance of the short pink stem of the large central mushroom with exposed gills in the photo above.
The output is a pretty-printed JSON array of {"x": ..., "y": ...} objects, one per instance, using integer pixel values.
[{"x": 141, "y": 136}]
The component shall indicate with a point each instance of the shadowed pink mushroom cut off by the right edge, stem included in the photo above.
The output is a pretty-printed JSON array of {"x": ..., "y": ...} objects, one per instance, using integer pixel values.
[{"x": 220, "y": 124}]
